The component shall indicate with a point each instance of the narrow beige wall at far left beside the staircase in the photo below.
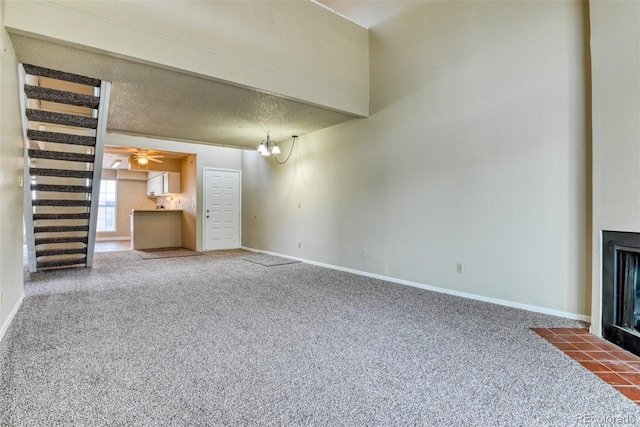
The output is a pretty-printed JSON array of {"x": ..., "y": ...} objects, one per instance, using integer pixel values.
[{"x": 11, "y": 166}]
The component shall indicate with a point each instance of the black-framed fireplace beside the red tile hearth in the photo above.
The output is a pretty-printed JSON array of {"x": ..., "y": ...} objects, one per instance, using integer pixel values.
[{"x": 621, "y": 289}]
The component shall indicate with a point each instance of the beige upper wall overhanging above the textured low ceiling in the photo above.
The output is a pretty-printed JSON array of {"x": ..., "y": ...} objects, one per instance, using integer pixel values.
[{"x": 293, "y": 48}]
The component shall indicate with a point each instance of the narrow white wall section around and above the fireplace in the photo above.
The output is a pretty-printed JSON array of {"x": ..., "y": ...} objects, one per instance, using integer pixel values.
[{"x": 615, "y": 61}]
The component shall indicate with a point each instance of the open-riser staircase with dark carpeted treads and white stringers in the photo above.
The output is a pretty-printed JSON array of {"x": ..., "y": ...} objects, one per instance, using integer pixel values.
[{"x": 64, "y": 122}]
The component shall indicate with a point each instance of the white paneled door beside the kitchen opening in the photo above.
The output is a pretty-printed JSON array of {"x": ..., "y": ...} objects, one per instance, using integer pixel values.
[{"x": 221, "y": 209}]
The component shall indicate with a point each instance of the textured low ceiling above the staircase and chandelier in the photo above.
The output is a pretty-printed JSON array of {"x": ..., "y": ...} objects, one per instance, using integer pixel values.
[{"x": 153, "y": 101}]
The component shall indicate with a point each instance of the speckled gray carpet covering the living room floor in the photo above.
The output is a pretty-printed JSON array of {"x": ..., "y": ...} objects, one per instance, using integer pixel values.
[{"x": 207, "y": 341}]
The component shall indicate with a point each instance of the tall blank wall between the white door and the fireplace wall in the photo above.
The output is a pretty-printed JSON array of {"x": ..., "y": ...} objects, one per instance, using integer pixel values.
[{"x": 475, "y": 152}]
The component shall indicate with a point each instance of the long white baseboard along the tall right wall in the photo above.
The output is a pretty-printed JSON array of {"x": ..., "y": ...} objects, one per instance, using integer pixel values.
[{"x": 506, "y": 303}]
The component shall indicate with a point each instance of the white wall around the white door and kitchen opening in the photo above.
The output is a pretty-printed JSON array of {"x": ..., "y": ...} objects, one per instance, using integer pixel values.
[{"x": 207, "y": 156}]
